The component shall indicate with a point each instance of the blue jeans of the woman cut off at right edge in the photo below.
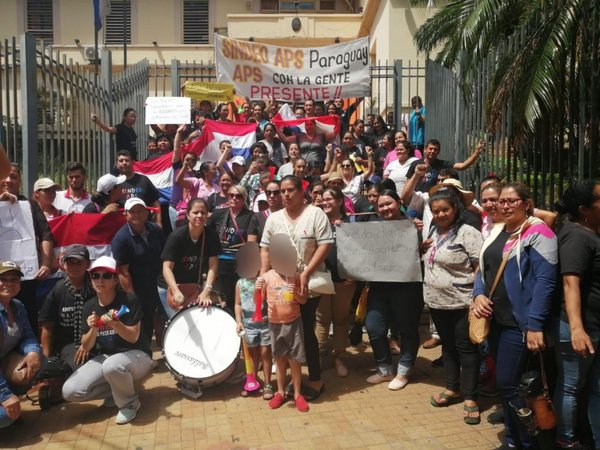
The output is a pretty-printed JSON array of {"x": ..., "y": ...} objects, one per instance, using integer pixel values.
[{"x": 573, "y": 371}]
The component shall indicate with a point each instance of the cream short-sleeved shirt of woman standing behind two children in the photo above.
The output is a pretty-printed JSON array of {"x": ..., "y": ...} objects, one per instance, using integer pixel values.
[{"x": 308, "y": 231}]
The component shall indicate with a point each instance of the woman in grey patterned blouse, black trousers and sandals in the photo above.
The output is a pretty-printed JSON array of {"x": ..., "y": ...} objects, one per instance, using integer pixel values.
[{"x": 451, "y": 260}]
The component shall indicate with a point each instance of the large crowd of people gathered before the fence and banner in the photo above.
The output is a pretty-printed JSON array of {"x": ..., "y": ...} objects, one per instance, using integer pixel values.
[{"x": 497, "y": 257}]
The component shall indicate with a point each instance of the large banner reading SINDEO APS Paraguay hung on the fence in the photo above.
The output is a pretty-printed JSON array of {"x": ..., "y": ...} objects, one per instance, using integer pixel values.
[{"x": 261, "y": 71}]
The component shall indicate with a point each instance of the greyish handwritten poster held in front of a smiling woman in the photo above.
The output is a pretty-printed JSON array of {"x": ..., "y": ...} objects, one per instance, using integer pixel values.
[{"x": 379, "y": 251}]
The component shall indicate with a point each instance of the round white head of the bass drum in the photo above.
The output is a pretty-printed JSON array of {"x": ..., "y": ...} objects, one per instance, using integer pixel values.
[{"x": 200, "y": 343}]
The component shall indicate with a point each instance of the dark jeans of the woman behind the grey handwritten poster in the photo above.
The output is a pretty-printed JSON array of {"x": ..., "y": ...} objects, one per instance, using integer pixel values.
[{"x": 395, "y": 305}]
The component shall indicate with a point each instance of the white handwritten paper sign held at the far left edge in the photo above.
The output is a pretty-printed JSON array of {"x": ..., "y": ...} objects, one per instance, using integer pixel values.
[{"x": 17, "y": 238}]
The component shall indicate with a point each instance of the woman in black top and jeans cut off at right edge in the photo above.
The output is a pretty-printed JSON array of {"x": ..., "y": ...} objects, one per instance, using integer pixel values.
[{"x": 579, "y": 326}]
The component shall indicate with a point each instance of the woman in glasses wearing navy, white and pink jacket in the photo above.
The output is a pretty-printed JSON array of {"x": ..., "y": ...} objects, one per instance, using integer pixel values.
[{"x": 520, "y": 307}]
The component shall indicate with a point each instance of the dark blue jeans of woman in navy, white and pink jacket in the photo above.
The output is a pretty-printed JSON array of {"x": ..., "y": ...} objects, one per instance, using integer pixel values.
[{"x": 510, "y": 349}]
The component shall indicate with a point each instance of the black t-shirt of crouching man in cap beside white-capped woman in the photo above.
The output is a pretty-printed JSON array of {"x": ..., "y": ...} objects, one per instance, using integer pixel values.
[{"x": 59, "y": 308}]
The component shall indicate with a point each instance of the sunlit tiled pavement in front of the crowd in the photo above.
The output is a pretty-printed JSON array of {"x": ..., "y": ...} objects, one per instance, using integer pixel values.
[{"x": 350, "y": 414}]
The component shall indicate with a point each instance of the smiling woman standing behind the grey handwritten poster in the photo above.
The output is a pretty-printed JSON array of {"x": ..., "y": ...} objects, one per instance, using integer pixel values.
[{"x": 397, "y": 305}]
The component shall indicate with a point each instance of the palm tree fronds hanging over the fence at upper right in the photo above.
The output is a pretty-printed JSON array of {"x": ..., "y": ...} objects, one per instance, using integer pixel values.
[{"x": 545, "y": 57}]
